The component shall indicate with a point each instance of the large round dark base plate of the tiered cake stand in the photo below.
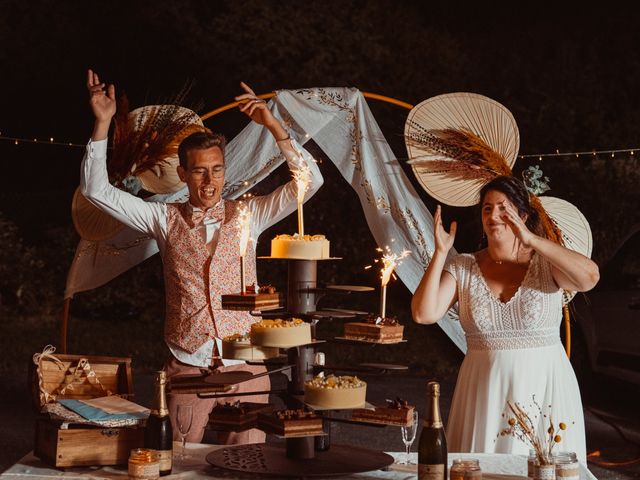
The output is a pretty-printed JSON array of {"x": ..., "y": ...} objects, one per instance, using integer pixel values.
[{"x": 269, "y": 459}]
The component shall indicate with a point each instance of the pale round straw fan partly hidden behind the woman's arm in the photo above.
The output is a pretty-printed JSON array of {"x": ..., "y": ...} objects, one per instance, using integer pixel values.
[{"x": 576, "y": 232}]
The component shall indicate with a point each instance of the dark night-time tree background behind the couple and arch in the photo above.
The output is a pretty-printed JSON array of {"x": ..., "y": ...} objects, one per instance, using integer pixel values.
[{"x": 566, "y": 71}]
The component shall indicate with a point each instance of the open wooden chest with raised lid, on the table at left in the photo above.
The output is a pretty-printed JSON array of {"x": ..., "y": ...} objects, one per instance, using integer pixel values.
[{"x": 81, "y": 445}]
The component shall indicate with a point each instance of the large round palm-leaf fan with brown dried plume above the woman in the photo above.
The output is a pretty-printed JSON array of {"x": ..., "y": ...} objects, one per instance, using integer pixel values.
[{"x": 457, "y": 142}]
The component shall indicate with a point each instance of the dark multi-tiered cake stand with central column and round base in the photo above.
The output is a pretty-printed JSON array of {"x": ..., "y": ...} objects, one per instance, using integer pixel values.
[{"x": 311, "y": 455}]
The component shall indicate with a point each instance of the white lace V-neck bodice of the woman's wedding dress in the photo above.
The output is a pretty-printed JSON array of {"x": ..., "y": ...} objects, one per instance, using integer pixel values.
[{"x": 530, "y": 319}]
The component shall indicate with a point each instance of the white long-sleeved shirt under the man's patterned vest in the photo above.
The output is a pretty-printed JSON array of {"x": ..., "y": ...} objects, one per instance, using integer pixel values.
[{"x": 151, "y": 217}]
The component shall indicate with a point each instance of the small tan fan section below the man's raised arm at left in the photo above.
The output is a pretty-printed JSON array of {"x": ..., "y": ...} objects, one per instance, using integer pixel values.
[{"x": 91, "y": 223}]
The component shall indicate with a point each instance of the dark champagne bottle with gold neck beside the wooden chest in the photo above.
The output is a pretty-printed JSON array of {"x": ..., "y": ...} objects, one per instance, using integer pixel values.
[{"x": 158, "y": 434}]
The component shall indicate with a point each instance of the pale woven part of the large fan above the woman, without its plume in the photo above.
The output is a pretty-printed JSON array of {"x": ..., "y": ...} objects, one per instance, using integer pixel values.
[{"x": 484, "y": 117}]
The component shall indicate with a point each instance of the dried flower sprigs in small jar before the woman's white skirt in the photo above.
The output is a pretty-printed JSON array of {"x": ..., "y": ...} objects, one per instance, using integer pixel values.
[{"x": 523, "y": 427}]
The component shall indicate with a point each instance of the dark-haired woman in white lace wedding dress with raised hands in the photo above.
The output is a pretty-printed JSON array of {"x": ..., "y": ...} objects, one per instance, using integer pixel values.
[{"x": 510, "y": 307}]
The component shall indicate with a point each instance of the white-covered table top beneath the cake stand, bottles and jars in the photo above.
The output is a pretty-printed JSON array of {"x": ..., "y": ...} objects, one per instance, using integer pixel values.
[{"x": 495, "y": 466}]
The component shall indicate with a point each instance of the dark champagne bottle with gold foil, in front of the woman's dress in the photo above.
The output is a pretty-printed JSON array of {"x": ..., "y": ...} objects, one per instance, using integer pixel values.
[{"x": 432, "y": 448}]
